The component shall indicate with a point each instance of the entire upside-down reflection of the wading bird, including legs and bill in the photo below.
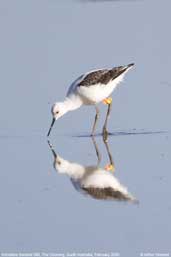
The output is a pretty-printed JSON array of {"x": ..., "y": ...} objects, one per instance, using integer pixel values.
[{"x": 94, "y": 181}]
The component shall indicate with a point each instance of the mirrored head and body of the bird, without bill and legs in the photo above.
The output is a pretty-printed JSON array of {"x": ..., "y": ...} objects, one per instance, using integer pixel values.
[{"x": 92, "y": 178}]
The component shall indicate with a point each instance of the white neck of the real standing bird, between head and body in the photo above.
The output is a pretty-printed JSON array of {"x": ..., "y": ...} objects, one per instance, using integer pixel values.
[{"x": 71, "y": 103}]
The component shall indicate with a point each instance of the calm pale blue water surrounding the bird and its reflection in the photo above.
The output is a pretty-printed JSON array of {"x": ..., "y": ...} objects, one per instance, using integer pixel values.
[{"x": 44, "y": 46}]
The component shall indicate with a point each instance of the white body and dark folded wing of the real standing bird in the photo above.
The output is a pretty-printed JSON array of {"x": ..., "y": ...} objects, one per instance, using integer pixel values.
[{"x": 96, "y": 85}]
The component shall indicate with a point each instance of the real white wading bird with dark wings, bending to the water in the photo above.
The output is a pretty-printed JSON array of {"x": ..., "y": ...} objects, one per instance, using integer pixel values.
[{"x": 91, "y": 88}]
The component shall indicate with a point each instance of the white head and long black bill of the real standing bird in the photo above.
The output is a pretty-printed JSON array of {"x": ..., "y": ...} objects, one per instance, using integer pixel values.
[{"x": 57, "y": 110}]
